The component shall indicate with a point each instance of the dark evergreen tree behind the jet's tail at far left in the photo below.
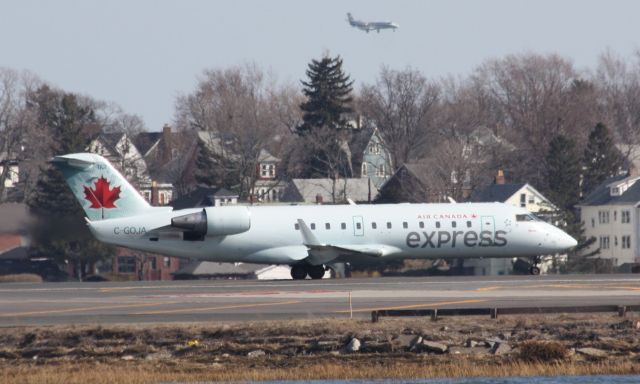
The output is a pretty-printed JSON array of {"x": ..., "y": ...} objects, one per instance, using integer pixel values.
[{"x": 59, "y": 231}]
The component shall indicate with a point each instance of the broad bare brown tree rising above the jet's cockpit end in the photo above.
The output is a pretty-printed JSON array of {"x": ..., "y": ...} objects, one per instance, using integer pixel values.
[{"x": 534, "y": 98}]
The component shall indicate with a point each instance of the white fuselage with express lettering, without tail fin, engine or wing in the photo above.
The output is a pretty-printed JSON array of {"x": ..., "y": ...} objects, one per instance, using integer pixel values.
[{"x": 435, "y": 231}]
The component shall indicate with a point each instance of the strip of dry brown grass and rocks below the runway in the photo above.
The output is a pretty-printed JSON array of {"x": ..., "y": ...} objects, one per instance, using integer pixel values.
[{"x": 322, "y": 349}]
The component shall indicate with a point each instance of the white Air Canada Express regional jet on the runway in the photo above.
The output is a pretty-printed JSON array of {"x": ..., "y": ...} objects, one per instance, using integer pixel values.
[{"x": 307, "y": 238}]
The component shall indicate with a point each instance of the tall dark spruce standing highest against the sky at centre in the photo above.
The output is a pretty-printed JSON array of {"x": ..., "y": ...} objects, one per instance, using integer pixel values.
[{"x": 328, "y": 93}]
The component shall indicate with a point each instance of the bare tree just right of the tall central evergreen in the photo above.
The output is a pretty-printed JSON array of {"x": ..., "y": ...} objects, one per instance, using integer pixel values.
[{"x": 401, "y": 104}]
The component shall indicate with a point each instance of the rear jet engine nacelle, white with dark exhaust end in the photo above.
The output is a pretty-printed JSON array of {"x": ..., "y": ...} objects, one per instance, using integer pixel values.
[{"x": 214, "y": 221}]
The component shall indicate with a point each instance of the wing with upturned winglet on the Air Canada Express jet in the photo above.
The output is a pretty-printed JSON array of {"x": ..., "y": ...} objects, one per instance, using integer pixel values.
[{"x": 320, "y": 253}]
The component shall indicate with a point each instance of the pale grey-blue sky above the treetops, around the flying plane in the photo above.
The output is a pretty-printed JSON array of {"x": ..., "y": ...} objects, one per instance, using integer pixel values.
[{"x": 142, "y": 54}]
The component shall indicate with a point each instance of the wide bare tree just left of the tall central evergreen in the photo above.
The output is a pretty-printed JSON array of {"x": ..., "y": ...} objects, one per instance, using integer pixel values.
[{"x": 236, "y": 107}]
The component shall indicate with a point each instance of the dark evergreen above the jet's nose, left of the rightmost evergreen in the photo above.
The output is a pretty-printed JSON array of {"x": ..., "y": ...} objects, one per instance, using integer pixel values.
[{"x": 563, "y": 173}]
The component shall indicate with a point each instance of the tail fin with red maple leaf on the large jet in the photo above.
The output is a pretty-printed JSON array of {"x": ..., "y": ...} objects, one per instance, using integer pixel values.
[{"x": 100, "y": 189}]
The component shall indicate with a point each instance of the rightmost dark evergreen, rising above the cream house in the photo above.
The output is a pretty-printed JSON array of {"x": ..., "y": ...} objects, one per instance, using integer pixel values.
[{"x": 601, "y": 159}]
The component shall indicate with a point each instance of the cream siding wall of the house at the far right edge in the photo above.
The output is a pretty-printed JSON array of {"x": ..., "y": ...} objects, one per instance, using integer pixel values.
[{"x": 614, "y": 229}]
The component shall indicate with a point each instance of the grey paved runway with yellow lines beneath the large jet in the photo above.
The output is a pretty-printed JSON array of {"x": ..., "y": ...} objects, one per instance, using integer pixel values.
[{"x": 242, "y": 300}]
